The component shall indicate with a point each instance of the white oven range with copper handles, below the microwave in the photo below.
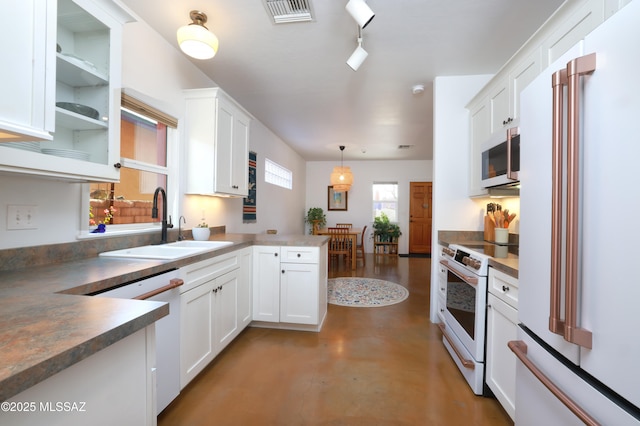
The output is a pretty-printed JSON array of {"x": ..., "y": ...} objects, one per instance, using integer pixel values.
[{"x": 463, "y": 330}]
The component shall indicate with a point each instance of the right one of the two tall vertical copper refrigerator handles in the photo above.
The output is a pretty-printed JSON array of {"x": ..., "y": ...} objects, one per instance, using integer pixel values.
[{"x": 575, "y": 69}]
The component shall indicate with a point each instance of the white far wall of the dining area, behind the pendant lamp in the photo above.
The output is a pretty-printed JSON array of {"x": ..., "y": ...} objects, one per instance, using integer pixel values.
[{"x": 360, "y": 204}]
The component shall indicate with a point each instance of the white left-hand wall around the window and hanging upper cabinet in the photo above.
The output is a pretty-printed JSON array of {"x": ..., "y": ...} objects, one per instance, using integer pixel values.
[{"x": 277, "y": 208}]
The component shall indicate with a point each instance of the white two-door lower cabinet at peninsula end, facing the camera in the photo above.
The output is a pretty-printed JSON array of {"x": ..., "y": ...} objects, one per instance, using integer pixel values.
[{"x": 290, "y": 286}]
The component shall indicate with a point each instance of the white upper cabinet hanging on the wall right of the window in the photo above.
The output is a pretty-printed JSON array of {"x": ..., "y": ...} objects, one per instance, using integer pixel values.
[{"x": 217, "y": 138}]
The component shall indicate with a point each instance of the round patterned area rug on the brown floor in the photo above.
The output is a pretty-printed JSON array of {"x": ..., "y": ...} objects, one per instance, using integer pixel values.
[{"x": 365, "y": 292}]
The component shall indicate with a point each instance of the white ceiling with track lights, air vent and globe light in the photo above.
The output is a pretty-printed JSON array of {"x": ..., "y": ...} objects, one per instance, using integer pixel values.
[{"x": 294, "y": 78}]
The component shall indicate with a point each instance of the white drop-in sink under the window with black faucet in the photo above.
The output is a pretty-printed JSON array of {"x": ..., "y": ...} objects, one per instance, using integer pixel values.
[{"x": 169, "y": 251}]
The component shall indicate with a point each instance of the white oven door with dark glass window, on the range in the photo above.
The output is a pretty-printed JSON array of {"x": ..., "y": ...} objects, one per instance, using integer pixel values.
[{"x": 466, "y": 309}]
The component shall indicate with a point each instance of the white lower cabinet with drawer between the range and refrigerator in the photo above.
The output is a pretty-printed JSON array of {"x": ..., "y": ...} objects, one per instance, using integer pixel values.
[{"x": 502, "y": 319}]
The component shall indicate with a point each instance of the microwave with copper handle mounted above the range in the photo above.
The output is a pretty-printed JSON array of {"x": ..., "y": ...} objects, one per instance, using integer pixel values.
[{"x": 501, "y": 160}]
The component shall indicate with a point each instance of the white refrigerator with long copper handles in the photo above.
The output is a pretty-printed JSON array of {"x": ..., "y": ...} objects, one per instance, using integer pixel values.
[{"x": 587, "y": 370}]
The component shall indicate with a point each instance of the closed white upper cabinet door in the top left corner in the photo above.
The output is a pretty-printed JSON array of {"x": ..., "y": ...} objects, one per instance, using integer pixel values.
[{"x": 28, "y": 30}]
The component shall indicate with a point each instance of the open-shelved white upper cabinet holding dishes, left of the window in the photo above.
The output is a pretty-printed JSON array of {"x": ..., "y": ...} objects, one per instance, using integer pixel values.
[{"x": 87, "y": 60}]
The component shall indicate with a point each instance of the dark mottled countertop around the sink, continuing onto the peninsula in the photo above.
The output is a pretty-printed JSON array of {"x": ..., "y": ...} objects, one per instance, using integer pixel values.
[{"x": 48, "y": 324}]
